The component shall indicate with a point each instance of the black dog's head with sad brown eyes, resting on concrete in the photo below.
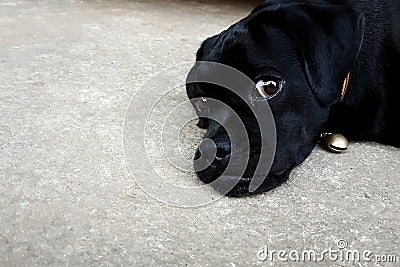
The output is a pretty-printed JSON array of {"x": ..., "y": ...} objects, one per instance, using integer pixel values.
[{"x": 298, "y": 56}]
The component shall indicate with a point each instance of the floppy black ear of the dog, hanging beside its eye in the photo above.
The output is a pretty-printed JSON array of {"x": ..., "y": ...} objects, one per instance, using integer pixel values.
[{"x": 330, "y": 38}]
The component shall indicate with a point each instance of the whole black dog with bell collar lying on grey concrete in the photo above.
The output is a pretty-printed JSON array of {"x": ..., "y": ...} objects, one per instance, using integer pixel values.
[{"x": 299, "y": 53}]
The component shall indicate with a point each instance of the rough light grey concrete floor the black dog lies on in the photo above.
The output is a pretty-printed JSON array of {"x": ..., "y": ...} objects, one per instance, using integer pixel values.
[{"x": 68, "y": 70}]
